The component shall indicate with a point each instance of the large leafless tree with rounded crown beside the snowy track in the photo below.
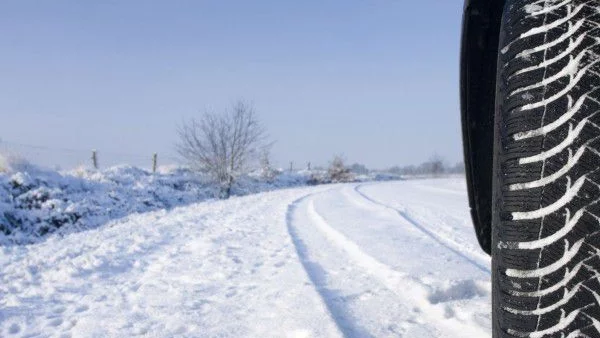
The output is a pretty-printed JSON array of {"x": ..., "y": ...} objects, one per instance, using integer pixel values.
[{"x": 223, "y": 145}]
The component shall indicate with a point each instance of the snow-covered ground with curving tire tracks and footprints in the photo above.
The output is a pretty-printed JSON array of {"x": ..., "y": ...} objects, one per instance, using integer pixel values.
[{"x": 385, "y": 259}]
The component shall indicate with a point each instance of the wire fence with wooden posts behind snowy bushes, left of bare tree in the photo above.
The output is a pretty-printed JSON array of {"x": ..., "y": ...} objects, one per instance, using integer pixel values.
[{"x": 70, "y": 158}]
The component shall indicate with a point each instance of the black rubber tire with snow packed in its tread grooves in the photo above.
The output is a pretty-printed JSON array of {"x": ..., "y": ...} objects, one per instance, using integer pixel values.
[{"x": 546, "y": 184}]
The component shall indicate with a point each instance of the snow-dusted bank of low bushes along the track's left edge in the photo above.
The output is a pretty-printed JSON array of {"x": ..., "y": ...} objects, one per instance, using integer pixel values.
[{"x": 35, "y": 202}]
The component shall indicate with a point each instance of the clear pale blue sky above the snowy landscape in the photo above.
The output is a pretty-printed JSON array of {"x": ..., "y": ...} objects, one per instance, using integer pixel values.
[{"x": 374, "y": 80}]
